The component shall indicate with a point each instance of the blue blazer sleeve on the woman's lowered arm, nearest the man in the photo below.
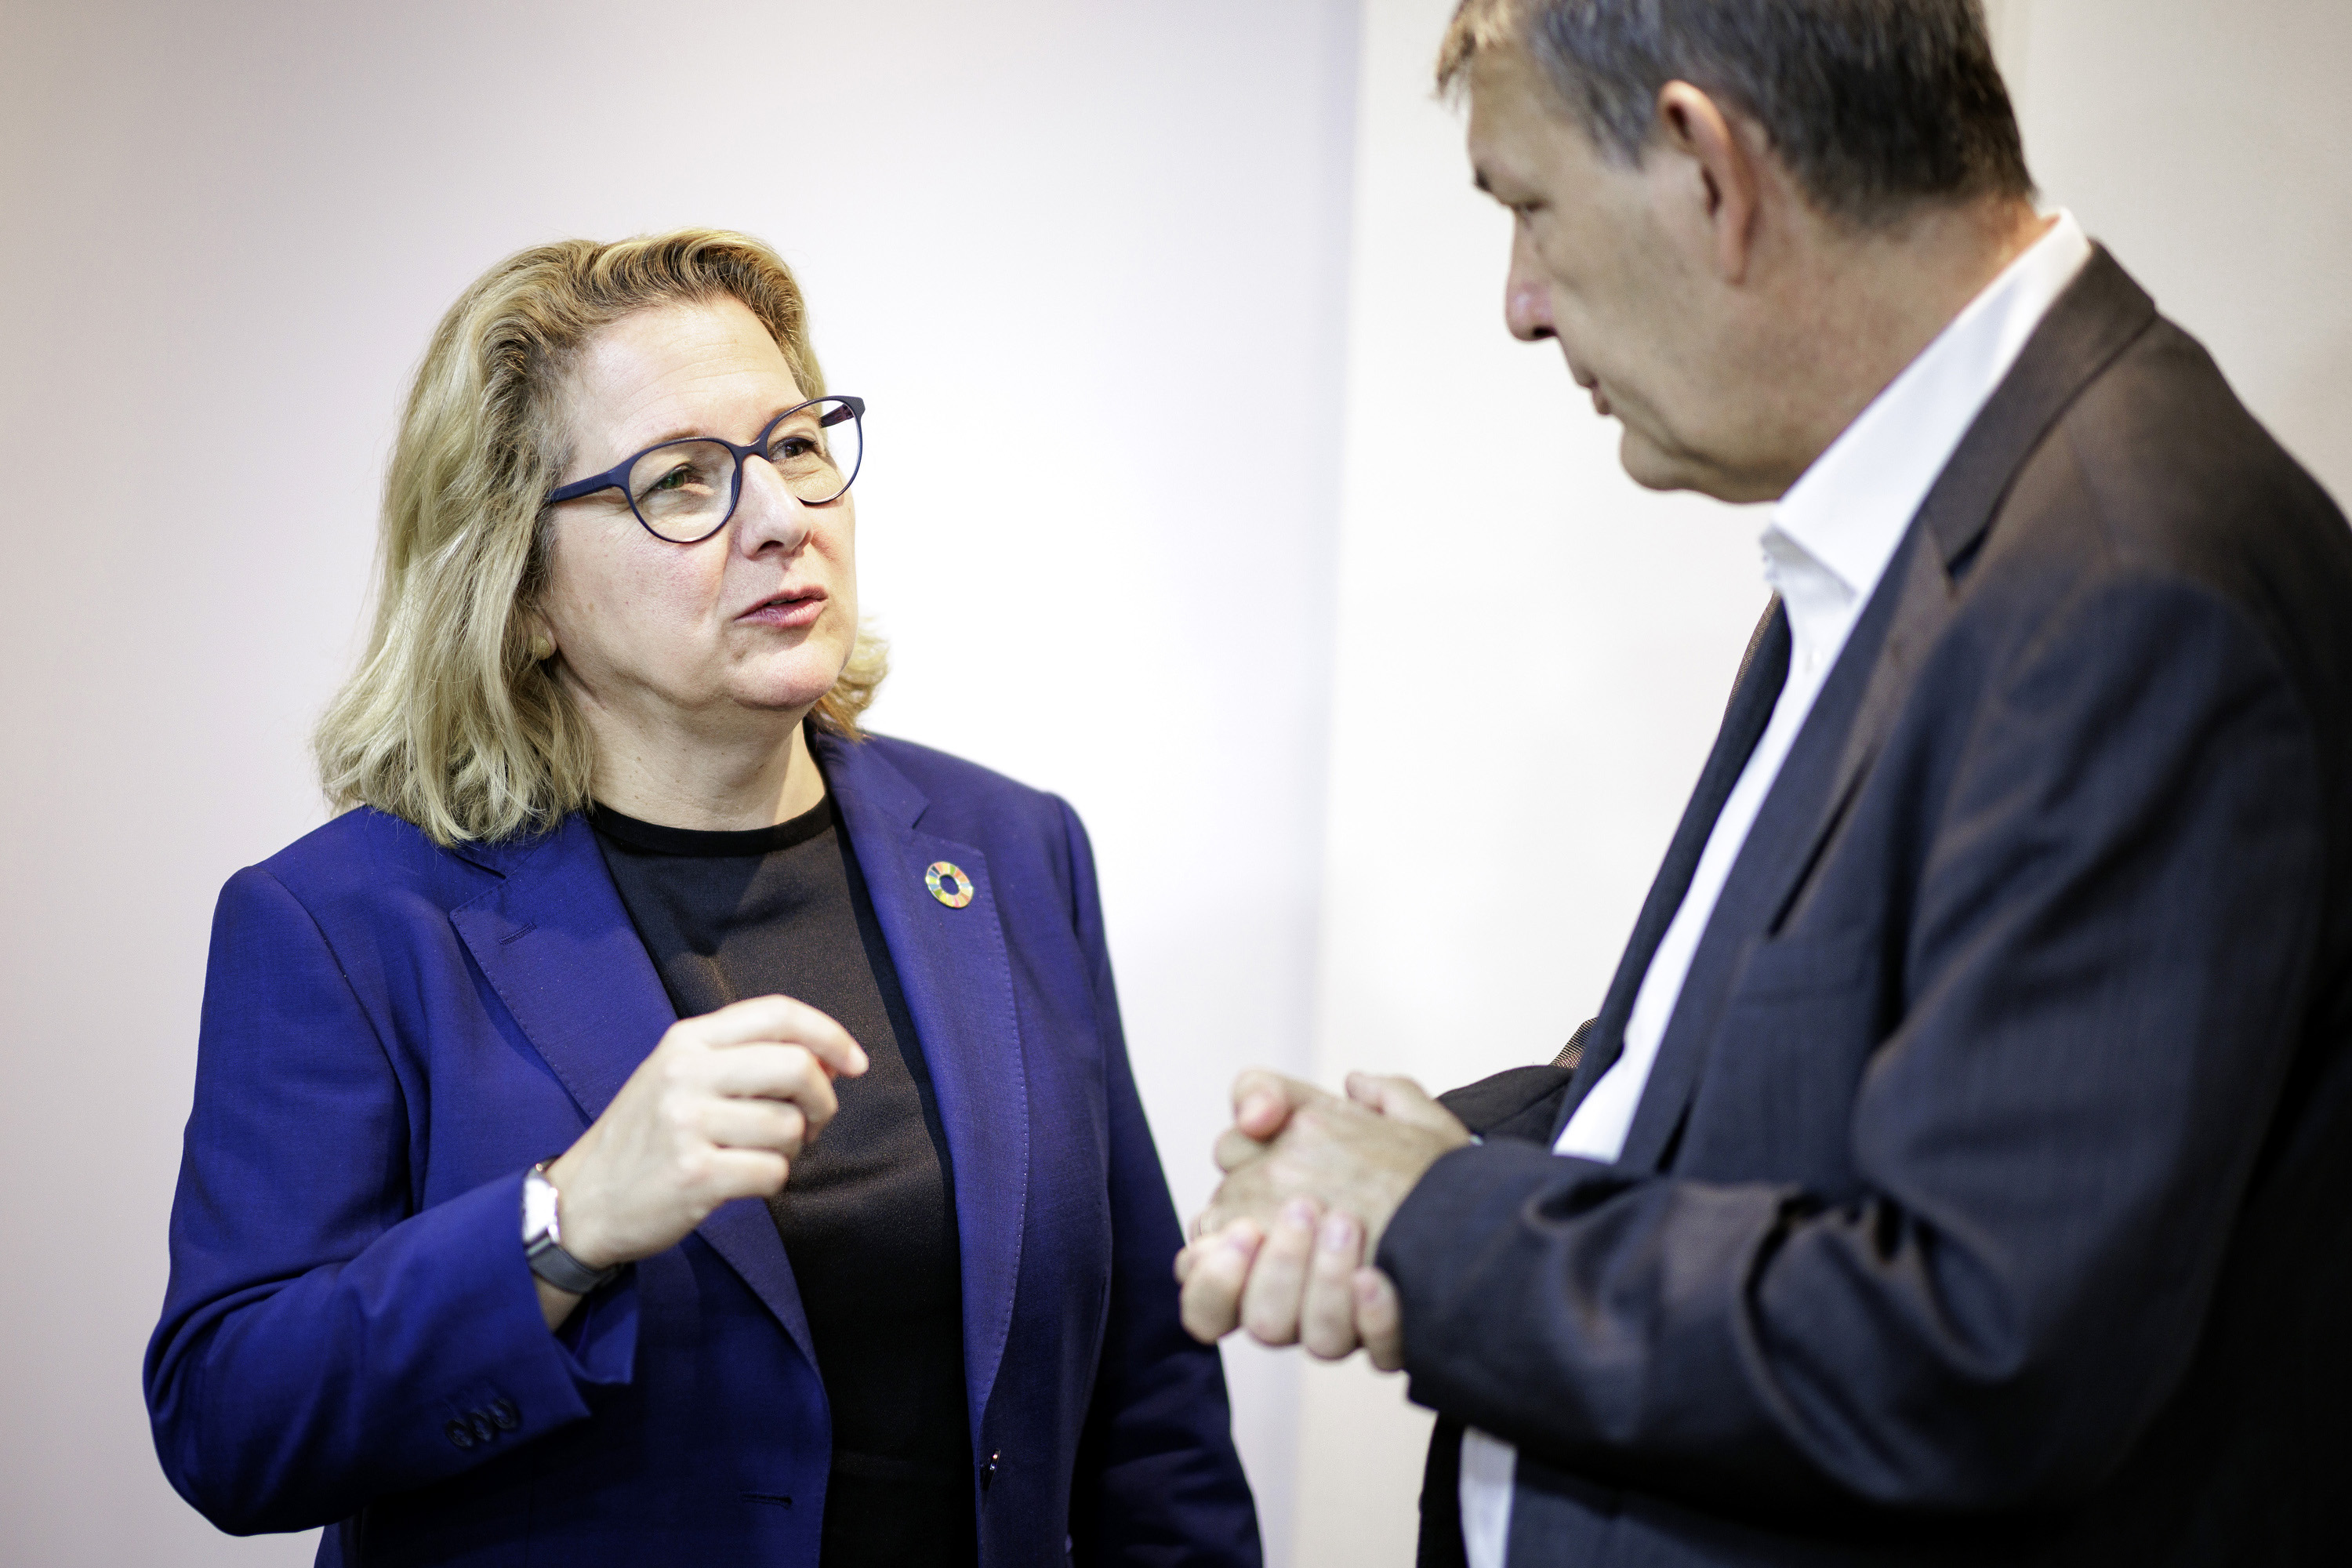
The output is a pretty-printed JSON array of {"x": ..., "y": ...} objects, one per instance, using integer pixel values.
[{"x": 1158, "y": 1477}]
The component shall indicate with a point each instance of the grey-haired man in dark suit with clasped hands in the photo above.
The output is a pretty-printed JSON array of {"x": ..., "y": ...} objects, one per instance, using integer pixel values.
[{"x": 1963, "y": 1155}]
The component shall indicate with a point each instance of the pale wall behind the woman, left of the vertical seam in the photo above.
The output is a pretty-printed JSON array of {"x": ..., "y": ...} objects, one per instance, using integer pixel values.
[{"x": 1114, "y": 234}]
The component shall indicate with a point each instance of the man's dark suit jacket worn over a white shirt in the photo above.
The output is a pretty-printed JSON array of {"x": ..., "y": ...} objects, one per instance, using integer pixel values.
[{"x": 1991, "y": 1198}]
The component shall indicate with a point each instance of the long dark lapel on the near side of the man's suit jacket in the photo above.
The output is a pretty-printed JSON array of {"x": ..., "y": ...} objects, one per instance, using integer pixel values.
[{"x": 2094, "y": 321}]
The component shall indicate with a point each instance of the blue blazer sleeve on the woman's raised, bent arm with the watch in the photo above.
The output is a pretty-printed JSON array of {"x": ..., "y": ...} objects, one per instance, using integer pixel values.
[{"x": 323, "y": 1343}]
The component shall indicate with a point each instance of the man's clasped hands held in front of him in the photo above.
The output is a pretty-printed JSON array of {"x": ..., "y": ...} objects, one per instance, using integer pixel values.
[{"x": 1288, "y": 1242}]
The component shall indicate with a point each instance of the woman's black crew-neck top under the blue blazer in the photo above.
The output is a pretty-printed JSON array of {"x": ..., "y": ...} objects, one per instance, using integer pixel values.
[{"x": 867, "y": 1214}]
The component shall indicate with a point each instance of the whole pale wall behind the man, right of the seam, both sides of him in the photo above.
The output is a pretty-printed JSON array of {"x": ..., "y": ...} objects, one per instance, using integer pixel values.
[{"x": 1532, "y": 652}]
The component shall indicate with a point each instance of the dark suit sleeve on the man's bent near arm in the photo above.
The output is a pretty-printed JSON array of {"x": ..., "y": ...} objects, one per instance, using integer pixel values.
[{"x": 2104, "y": 979}]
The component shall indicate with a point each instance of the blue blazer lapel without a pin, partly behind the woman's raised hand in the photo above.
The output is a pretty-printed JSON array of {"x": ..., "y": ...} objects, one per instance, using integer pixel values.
[{"x": 561, "y": 953}]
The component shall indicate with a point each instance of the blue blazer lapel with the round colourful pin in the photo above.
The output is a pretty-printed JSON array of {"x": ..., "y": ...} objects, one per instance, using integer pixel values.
[{"x": 956, "y": 977}]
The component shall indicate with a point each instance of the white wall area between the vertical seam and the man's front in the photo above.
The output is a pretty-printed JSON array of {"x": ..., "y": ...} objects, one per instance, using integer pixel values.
[{"x": 1532, "y": 657}]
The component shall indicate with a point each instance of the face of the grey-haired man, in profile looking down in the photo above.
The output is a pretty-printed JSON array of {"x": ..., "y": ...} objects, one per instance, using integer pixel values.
[{"x": 1593, "y": 267}]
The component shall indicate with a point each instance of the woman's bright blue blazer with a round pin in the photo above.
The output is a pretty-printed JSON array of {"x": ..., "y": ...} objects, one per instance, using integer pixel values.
[{"x": 394, "y": 1033}]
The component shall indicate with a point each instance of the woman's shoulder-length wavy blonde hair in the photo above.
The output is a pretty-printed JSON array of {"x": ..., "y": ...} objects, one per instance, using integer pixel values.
[{"x": 450, "y": 723}]
